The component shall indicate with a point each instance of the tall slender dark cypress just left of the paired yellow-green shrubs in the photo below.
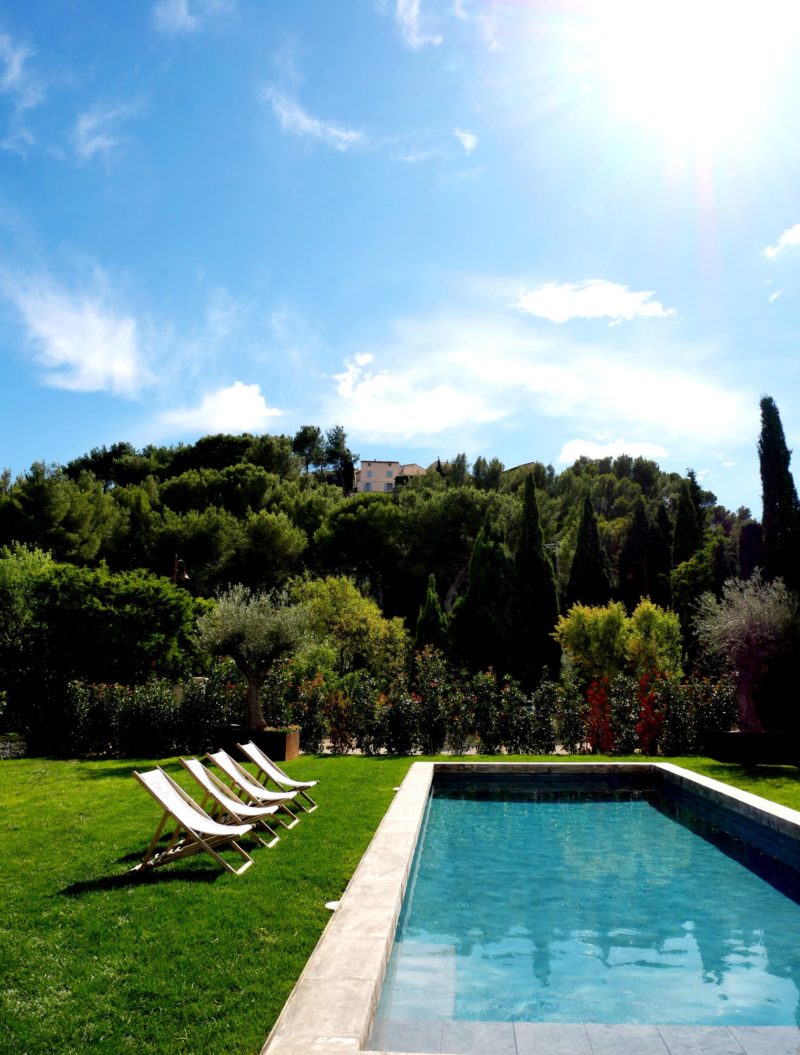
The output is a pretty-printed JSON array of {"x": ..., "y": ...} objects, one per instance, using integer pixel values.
[{"x": 537, "y": 602}]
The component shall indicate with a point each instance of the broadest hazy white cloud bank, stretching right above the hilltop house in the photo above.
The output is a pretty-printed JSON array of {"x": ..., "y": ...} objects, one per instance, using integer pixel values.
[{"x": 450, "y": 376}]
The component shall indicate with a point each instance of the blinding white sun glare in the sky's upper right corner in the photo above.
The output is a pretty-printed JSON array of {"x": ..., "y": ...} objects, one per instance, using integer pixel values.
[{"x": 699, "y": 74}]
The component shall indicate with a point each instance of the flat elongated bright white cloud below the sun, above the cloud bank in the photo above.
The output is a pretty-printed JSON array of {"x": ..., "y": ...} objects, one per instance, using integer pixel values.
[{"x": 595, "y": 299}]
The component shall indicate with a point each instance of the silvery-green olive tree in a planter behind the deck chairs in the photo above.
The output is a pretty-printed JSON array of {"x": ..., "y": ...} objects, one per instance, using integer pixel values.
[{"x": 254, "y": 629}]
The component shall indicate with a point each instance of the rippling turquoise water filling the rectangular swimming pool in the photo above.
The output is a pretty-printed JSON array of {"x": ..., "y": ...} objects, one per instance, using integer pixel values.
[{"x": 576, "y": 909}]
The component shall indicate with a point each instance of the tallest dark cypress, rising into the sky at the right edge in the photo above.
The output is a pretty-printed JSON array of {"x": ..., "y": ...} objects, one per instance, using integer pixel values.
[{"x": 780, "y": 516}]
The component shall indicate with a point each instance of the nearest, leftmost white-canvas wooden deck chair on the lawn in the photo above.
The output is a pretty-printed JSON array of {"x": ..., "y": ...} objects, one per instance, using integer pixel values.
[{"x": 195, "y": 830}]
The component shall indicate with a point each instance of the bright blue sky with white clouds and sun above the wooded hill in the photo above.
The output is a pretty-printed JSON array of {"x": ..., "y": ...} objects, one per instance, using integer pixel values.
[{"x": 530, "y": 231}]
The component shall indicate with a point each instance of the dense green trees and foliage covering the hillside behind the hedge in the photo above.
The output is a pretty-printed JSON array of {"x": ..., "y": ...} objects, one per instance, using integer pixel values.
[{"x": 475, "y": 561}]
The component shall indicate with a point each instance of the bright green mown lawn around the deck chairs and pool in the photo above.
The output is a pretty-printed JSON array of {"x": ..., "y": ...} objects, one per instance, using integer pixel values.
[{"x": 188, "y": 960}]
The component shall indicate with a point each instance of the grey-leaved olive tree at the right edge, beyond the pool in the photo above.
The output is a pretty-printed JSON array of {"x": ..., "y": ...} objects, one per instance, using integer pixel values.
[{"x": 746, "y": 629}]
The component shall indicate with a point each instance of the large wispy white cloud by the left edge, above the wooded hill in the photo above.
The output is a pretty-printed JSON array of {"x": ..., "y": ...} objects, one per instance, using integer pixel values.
[{"x": 80, "y": 340}]
